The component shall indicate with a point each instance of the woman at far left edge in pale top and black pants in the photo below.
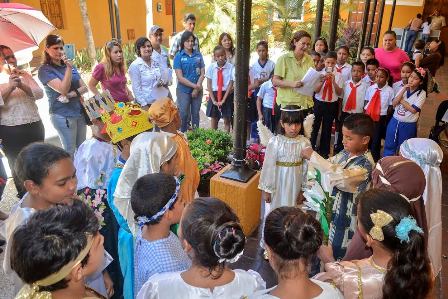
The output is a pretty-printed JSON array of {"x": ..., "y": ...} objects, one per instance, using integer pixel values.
[{"x": 20, "y": 123}]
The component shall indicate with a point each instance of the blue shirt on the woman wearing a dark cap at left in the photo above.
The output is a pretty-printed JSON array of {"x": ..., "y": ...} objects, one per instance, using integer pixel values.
[{"x": 48, "y": 72}]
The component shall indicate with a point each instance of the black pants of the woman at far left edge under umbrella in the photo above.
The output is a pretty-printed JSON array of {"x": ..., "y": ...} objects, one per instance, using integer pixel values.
[{"x": 14, "y": 138}]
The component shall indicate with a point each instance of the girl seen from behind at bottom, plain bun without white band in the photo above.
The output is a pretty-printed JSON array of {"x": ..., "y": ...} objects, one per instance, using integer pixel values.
[{"x": 292, "y": 238}]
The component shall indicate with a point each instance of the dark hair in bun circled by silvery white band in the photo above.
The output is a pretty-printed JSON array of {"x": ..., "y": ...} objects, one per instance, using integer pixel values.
[{"x": 214, "y": 232}]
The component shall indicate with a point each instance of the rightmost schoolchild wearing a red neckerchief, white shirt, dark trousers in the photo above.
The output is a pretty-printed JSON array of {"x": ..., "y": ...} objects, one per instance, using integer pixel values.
[{"x": 378, "y": 106}]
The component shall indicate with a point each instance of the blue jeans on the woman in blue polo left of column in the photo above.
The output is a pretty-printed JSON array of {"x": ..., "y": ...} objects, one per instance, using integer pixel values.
[{"x": 188, "y": 106}]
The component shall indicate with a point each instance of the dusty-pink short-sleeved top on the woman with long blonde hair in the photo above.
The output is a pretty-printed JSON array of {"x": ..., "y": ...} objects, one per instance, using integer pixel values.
[{"x": 115, "y": 84}]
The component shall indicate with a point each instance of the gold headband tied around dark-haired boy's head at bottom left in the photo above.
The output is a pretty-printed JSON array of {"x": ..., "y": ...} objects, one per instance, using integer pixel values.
[{"x": 32, "y": 291}]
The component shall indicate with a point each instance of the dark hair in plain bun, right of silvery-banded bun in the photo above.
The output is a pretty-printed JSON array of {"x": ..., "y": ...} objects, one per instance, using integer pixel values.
[{"x": 292, "y": 235}]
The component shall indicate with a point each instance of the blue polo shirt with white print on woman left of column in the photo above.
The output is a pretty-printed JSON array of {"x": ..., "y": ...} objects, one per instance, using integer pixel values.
[{"x": 191, "y": 68}]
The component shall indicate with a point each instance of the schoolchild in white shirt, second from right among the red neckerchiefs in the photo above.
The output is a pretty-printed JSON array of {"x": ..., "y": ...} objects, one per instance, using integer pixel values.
[{"x": 353, "y": 97}]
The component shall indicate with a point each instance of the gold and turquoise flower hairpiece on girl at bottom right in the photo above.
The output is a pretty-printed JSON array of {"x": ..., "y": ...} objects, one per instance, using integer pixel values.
[{"x": 402, "y": 230}]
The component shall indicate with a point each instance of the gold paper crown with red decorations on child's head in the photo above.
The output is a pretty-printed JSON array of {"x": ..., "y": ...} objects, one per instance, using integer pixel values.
[{"x": 126, "y": 120}]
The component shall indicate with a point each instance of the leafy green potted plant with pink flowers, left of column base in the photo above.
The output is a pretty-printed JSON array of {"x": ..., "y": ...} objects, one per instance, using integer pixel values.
[{"x": 210, "y": 148}]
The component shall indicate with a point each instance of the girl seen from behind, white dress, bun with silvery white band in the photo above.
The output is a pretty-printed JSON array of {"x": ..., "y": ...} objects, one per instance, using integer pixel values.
[{"x": 212, "y": 235}]
